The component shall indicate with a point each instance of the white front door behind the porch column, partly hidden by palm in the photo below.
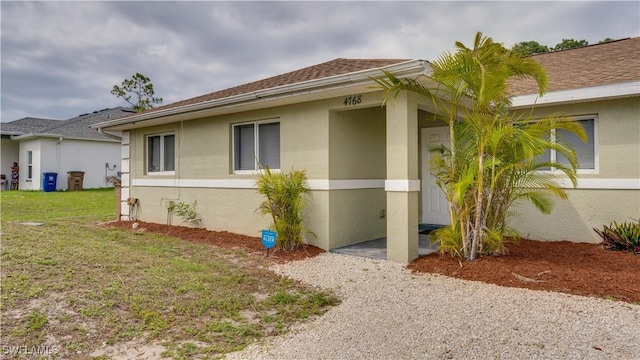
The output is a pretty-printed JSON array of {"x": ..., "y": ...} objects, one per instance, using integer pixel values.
[{"x": 435, "y": 208}]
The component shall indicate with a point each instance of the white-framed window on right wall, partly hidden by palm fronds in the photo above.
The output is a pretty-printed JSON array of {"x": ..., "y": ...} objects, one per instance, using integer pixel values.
[{"x": 586, "y": 151}]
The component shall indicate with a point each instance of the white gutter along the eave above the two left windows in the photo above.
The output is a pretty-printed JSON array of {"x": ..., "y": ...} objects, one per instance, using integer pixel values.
[{"x": 405, "y": 69}]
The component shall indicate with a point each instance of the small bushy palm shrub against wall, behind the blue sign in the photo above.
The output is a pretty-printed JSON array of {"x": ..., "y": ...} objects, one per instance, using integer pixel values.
[{"x": 284, "y": 202}]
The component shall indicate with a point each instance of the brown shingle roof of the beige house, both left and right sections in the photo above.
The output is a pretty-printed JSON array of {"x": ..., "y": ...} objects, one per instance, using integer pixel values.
[{"x": 595, "y": 65}]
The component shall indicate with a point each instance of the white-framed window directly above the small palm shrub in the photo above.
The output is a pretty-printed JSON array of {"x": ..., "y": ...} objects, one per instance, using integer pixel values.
[{"x": 256, "y": 144}]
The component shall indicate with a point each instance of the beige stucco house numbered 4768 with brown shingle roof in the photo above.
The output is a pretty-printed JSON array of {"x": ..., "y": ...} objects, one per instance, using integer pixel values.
[{"x": 367, "y": 163}]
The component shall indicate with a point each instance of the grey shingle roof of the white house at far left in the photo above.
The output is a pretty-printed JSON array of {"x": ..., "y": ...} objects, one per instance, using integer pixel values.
[{"x": 77, "y": 127}]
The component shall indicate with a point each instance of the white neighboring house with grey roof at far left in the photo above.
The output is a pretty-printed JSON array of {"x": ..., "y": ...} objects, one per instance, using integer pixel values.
[{"x": 60, "y": 146}]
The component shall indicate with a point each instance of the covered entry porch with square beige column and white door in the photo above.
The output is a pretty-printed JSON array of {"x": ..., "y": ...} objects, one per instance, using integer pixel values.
[{"x": 388, "y": 146}]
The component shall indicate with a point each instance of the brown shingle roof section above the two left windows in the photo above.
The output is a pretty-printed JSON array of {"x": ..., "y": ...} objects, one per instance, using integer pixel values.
[{"x": 330, "y": 68}]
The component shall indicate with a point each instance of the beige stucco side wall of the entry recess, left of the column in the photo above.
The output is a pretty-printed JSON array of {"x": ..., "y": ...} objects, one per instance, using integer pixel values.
[{"x": 357, "y": 150}]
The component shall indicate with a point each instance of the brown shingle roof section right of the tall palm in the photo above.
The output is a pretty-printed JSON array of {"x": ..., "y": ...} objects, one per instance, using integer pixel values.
[{"x": 594, "y": 65}]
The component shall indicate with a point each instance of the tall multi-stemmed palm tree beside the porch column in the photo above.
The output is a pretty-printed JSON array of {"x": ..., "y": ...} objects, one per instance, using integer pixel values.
[{"x": 494, "y": 157}]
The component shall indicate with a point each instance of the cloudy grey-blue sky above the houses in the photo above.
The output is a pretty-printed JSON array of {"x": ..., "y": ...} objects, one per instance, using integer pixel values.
[{"x": 61, "y": 59}]
